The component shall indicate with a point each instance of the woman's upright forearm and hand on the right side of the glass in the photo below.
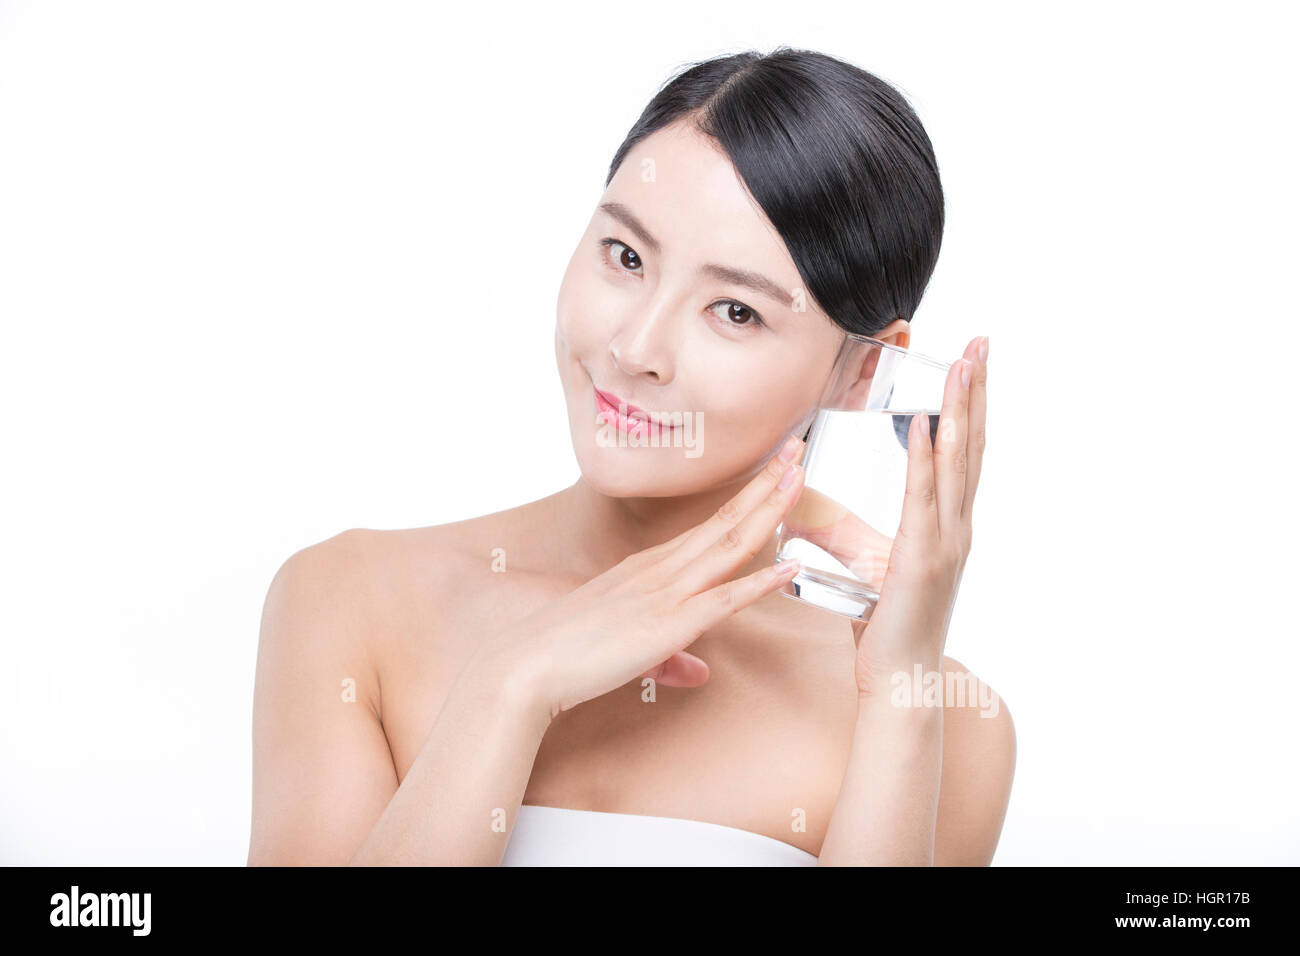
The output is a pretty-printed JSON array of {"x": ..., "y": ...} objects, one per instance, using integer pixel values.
[{"x": 889, "y": 808}]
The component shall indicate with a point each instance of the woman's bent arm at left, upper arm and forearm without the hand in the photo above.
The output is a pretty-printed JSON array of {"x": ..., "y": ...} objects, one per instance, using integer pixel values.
[{"x": 326, "y": 790}]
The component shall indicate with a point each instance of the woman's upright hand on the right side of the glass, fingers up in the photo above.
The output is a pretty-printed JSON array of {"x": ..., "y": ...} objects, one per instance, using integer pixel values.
[{"x": 909, "y": 624}]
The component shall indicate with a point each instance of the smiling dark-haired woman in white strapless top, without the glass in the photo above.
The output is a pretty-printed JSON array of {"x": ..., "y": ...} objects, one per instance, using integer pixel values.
[{"x": 608, "y": 674}]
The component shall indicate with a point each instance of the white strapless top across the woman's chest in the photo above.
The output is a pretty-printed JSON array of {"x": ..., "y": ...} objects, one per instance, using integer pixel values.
[{"x": 560, "y": 837}]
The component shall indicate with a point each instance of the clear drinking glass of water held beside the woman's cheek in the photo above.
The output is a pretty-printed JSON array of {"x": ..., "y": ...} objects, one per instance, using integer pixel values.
[{"x": 856, "y": 473}]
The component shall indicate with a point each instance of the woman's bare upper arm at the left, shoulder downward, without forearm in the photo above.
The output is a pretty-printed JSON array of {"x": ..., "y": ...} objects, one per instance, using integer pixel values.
[{"x": 322, "y": 769}]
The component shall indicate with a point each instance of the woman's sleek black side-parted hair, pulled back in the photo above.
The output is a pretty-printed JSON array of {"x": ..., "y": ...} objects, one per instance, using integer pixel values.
[{"x": 839, "y": 163}]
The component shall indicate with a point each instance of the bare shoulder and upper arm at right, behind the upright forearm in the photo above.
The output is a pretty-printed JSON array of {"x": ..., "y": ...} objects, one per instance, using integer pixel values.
[{"x": 978, "y": 769}]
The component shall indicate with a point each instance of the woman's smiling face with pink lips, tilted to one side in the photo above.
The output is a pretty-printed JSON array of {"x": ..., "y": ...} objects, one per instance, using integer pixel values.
[{"x": 683, "y": 301}]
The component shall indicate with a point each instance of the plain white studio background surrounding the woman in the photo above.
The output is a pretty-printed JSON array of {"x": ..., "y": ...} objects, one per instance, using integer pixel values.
[{"x": 258, "y": 261}]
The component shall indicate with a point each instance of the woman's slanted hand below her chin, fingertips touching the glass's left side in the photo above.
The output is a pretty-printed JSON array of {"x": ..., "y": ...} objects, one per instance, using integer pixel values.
[{"x": 638, "y": 618}]
